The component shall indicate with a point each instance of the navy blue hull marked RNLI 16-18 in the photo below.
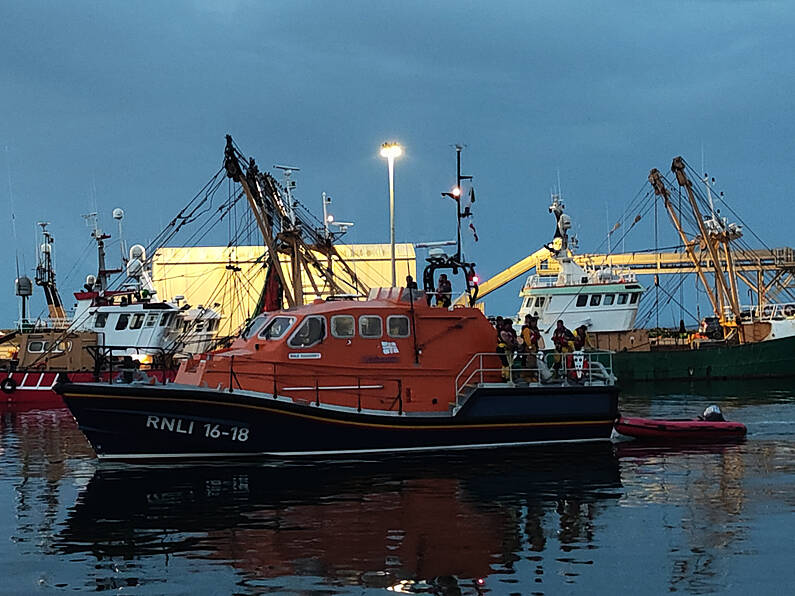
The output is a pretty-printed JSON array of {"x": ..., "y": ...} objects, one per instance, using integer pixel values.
[{"x": 128, "y": 421}]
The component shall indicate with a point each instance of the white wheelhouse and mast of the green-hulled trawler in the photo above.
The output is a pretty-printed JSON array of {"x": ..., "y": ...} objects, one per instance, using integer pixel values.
[{"x": 603, "y": 299}]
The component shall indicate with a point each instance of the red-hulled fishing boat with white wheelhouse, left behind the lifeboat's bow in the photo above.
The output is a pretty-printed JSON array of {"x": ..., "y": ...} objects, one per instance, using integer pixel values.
[{"x": 126, "y": 331}]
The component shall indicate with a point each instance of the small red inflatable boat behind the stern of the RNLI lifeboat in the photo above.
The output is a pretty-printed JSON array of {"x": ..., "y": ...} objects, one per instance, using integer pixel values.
[{"x": 649, "y": 429}]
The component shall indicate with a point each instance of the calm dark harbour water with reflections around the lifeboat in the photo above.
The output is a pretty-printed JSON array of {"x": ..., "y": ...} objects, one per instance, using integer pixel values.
[{"x": 584, "y": 520}]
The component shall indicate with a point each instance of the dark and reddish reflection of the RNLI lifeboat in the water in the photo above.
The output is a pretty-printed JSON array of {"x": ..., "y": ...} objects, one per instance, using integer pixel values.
[{"x": 436, "y": 523}]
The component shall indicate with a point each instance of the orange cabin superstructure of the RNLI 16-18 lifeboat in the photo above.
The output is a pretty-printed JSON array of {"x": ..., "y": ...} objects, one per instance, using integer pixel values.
[{"x": 415, "y": 352}]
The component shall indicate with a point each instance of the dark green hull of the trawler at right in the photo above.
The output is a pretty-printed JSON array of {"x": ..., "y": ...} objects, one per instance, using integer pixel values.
[{"x": 766, "y": 359}]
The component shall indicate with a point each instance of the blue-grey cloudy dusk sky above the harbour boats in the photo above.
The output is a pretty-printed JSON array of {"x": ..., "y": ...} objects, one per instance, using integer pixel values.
[{"x": 125, "y": 104}]
